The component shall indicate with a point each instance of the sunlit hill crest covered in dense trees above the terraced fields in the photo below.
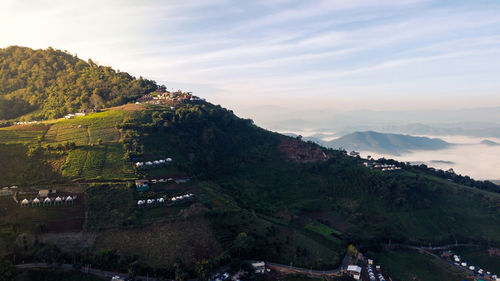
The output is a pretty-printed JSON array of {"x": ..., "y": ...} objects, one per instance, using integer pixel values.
[{"x": 51, "y": 83}]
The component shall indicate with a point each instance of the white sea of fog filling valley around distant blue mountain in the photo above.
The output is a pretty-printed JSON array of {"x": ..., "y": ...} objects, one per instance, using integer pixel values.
[{"x": 468, "y": 157}]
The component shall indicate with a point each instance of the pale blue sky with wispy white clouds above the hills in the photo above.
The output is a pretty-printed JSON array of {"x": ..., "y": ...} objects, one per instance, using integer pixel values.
[{"x": 245, "y": 55}]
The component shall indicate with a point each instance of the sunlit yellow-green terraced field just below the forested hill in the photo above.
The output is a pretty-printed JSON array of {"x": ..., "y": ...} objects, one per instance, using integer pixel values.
[{"x": 88, "y": 161}]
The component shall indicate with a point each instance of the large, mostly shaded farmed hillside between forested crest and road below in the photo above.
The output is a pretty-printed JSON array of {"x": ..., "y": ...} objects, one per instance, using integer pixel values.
[{"x": 257, "y": 195}]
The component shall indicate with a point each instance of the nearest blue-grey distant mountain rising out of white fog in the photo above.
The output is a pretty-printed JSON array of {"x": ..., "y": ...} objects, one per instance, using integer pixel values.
[{"x": 386, "y": 143}]
